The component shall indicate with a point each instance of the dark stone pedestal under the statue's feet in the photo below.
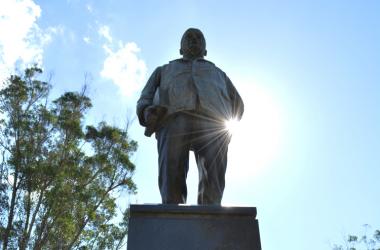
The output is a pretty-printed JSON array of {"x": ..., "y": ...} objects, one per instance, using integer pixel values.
[{"x": 172, "y": 227}]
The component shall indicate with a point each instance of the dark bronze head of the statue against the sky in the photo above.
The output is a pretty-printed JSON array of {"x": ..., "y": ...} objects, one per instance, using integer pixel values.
[{"x": 193, "y": 44}]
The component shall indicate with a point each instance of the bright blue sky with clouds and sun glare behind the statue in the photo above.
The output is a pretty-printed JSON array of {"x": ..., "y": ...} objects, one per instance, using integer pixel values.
[{"x": 307, "y": 151}]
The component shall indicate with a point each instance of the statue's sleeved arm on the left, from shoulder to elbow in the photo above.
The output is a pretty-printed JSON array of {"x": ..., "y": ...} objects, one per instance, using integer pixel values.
[{"x": 147, "y": 94}]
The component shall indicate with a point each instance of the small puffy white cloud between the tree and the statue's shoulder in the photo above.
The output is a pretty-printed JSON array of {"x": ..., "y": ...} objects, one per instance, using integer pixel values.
[{"x": 124, "y": 67}]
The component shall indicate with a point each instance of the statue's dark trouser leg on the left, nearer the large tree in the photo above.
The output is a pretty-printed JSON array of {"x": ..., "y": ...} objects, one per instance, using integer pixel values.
[{"x": 173, "y": 150}]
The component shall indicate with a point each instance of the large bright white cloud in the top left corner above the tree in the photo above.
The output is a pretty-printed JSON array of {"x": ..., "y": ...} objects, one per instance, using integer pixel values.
[{"x": 21, "y": 39}]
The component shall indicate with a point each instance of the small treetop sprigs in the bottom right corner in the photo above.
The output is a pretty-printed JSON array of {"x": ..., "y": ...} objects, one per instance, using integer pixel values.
[{"x": 364, "y": 242}]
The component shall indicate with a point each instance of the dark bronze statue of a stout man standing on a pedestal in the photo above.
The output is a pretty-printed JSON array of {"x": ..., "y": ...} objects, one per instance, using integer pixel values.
[{"x": 186, "y": 104}]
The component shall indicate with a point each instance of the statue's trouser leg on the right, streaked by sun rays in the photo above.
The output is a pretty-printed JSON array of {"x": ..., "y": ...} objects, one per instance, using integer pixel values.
[{"x": 211, "y": 157}]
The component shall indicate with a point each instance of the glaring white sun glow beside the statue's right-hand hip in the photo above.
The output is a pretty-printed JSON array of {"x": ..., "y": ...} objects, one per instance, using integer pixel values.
[{"x": 256, "y": 138}]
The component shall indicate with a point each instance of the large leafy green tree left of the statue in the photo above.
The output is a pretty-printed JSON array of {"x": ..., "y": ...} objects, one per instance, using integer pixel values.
[{"x": 59, "y": 180}]
